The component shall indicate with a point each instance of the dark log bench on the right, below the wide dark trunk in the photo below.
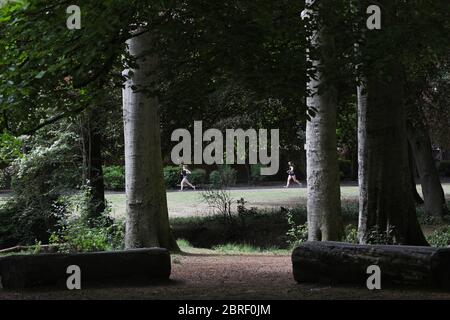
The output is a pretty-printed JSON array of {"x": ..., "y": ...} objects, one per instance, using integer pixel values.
[{"x": 336, "y": 262}]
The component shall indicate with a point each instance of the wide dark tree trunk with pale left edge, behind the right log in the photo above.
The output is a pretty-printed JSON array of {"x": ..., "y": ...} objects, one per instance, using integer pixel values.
[{"x": 386, "y": 203}]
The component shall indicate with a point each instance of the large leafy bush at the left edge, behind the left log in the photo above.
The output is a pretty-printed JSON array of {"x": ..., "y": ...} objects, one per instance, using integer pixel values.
[{"x": 40, "y": 177}]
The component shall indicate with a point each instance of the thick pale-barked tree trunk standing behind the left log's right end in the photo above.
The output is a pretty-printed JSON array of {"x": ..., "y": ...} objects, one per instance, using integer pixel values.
[{"x": 147, "y": 223}]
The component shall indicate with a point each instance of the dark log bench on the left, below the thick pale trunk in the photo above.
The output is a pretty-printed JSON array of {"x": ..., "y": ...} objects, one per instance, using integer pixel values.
[{"x": 50, "y": 269}]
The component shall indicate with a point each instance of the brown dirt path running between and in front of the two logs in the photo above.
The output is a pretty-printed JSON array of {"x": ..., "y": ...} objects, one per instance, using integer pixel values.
[{"x": 228, "y": 277}]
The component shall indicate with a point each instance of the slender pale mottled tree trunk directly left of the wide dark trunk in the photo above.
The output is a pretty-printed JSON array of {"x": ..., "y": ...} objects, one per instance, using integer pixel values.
[{"x": 323, "y": 183}]
